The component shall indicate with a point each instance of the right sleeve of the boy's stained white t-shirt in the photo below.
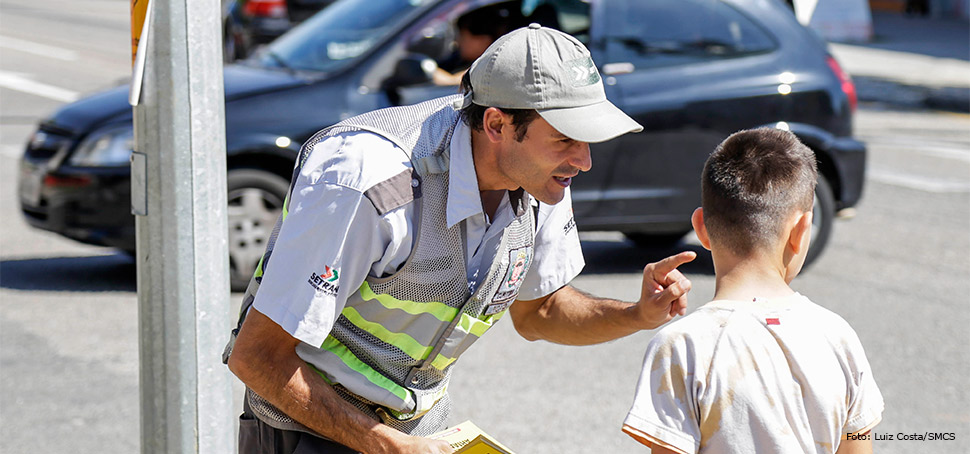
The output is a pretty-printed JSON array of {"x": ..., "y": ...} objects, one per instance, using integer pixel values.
[{"x": 865, "y": 399}]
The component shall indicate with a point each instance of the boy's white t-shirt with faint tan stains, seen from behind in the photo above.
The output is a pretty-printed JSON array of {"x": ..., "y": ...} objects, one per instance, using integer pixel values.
[{"x": 780, "y": 376}]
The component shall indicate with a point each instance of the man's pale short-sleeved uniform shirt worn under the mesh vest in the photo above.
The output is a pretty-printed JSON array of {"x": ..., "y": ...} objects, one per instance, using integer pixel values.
[{"x": 332, "y": 229}]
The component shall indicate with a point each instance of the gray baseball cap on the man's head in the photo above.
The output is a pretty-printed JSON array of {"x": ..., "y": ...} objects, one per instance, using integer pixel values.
[{"x": 547, "y": 70}]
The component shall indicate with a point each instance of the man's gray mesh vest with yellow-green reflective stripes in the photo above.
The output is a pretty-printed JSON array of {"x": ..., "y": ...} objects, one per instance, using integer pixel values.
[{"x": 391, "y": 350}]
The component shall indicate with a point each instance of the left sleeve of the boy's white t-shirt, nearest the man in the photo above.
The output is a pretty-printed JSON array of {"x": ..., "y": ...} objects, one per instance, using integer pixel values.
[{"x": 664, "y": 406}]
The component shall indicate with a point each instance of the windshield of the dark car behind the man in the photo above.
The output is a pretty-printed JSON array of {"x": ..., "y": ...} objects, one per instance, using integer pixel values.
[{"x": 339, "y": 34}]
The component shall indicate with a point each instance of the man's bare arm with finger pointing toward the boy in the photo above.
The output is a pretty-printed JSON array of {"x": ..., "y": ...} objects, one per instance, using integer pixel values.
[{"x": 568, "y": 316}]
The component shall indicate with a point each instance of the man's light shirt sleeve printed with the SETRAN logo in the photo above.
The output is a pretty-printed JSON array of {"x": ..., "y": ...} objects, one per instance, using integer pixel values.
[{"x": 330, "y": 239}]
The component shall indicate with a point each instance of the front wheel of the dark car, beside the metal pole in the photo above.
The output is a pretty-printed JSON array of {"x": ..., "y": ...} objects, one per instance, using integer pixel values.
[{"x": 255, "y": 202}]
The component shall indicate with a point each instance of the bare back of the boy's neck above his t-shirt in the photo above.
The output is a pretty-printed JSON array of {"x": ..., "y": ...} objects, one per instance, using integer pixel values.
[{"x": 744, "y": 279}]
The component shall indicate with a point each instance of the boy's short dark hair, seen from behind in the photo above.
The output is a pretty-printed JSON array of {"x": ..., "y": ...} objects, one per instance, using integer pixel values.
[{"x": 751, "y": 183}]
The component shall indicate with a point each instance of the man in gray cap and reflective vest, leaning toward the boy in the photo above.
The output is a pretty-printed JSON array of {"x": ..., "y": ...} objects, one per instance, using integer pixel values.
[{"x": 409, "y": 232}]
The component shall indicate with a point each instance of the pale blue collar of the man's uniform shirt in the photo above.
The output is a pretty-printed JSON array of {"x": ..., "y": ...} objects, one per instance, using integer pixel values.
[{"x": 464, "y": 198}]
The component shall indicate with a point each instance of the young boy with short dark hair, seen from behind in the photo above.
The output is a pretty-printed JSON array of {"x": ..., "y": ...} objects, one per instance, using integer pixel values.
[{"x": 761, "y": 369}]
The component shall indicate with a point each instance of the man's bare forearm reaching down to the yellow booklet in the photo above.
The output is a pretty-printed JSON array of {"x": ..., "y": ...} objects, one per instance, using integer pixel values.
[{"x": 265, "y": 359}]
